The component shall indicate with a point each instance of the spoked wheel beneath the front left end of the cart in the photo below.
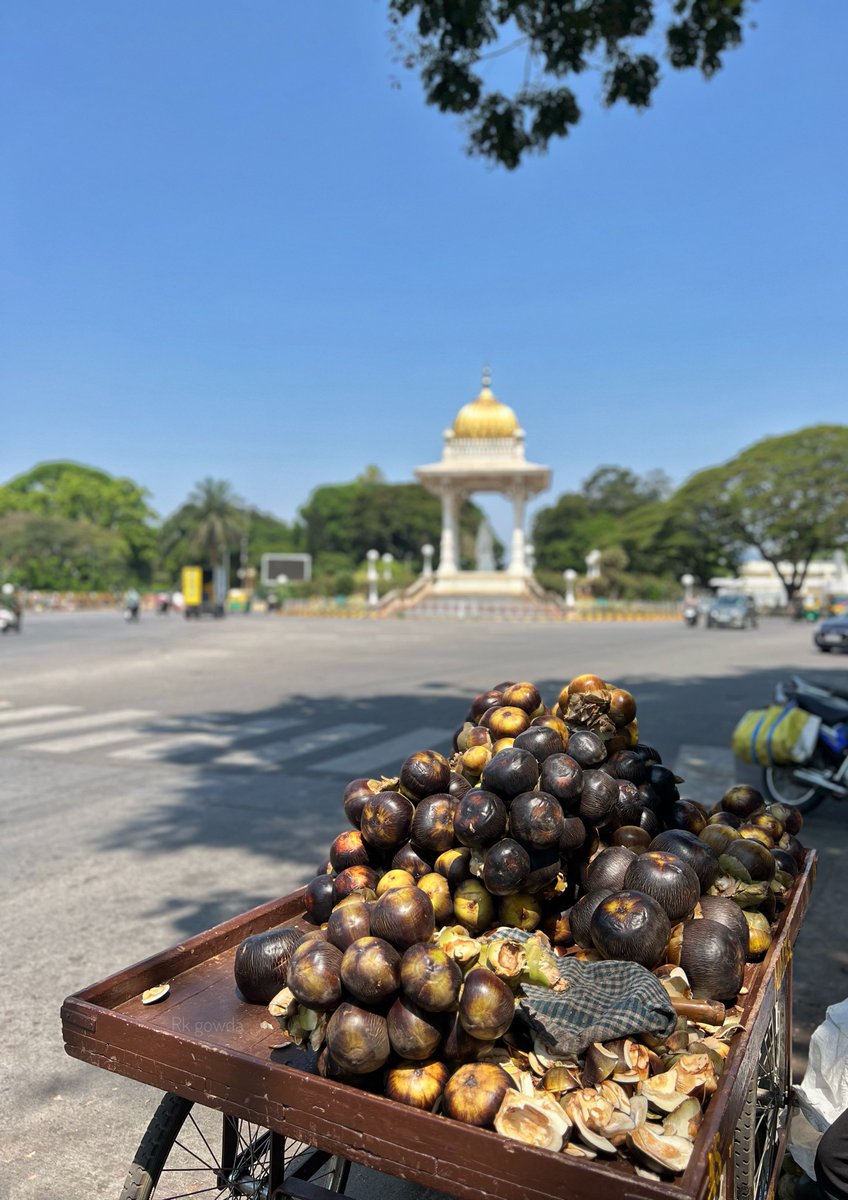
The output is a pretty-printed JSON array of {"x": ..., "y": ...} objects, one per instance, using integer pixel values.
[{"x": 189, "y": 1150}]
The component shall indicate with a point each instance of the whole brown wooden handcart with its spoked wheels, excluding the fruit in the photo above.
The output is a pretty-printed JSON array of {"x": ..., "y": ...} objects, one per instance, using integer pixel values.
[{"x": 287, "y": 1132}]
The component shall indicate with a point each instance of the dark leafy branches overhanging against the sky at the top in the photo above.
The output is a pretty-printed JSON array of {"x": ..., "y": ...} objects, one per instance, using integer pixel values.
[{"x": 450, "y": 44}]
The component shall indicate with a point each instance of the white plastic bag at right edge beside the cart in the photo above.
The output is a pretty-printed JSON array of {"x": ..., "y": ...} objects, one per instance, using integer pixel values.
[{"x": 823, "y": 1094}]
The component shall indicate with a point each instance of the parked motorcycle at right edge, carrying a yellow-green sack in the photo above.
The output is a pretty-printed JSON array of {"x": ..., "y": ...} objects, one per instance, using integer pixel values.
[{"x": 826, "y": 773}]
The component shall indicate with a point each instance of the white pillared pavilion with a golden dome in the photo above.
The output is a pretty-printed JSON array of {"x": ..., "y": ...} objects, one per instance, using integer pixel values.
[{"x": 484, "y": 452}]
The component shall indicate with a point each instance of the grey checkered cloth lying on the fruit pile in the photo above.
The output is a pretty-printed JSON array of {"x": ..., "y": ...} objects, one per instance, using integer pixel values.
[{"x": 599, "y": 1001}]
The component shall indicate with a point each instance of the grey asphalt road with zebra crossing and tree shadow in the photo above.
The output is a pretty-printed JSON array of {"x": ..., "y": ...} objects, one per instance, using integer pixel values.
[{"x": 159, "y": 778}]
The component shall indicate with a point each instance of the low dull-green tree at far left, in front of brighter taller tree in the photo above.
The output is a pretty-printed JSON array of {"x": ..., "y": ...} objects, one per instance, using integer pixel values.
[{"x": 55, "y": 554}]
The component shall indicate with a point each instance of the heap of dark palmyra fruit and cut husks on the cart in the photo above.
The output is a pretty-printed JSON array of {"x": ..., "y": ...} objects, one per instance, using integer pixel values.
[{"x": 550, "y": 832}]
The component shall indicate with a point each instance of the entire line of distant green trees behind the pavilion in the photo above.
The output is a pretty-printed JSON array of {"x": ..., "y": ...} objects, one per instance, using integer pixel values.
[{"x": 69, "y": 527}]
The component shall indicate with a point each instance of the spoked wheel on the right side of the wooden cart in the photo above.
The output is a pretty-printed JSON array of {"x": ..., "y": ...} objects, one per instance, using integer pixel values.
[{"x": 766, "y": 1112}]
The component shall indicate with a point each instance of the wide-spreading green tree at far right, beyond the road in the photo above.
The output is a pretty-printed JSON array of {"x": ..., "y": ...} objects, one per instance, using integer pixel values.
[{"x": 785, "y": 496}]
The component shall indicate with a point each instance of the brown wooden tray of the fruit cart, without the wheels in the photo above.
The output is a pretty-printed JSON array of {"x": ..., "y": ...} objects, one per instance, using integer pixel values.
[{"x": 206, "y": 1045}]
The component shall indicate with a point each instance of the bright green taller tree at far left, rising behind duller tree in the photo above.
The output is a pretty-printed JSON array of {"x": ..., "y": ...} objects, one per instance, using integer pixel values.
[{"x": 71, "y": 491}]
